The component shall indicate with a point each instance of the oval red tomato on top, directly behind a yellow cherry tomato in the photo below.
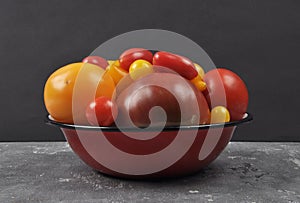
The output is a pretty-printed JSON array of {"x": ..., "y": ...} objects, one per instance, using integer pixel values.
[{"x": 130, "y": 55}]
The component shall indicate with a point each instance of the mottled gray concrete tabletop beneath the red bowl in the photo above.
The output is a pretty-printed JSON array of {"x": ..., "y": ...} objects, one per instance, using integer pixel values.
[{"x": 245, "y": 172}]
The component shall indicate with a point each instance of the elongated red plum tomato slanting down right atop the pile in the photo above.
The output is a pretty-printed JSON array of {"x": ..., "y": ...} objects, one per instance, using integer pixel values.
[{"x": 182, "y": 65}]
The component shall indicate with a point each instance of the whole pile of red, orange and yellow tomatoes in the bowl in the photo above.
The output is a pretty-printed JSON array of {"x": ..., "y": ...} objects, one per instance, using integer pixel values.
[{"x": 220, "y": 95}]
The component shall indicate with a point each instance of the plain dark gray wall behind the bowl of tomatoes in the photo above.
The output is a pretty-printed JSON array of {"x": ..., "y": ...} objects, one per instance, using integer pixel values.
[{"x": 257, "y": 39}]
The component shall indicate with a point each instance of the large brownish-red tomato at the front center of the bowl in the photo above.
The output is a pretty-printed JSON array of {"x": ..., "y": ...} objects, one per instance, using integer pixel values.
[{"x": 178, "y": 98}]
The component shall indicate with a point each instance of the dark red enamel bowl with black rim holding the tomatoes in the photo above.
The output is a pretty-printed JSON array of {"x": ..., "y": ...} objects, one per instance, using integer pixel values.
[{"x": 174, "y": 151}]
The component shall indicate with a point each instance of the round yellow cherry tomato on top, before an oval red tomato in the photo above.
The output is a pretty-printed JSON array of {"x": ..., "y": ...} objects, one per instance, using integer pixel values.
[{"x": 140, "y": 68}]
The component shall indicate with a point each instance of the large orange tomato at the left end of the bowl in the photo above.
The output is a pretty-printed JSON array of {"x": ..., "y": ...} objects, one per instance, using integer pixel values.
[{"x": 71, "y": 88}]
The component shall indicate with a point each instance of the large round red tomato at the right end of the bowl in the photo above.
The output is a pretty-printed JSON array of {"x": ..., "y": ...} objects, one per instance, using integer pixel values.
[{"x": 220, "y": 81}]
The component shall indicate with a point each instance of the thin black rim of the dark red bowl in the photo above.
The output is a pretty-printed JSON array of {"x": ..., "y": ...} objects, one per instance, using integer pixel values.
[{"x": 49, "y": 120}]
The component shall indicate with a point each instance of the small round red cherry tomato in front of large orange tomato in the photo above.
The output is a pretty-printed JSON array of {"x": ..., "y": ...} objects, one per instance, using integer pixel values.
[{"x": 102, "y": 111}]
